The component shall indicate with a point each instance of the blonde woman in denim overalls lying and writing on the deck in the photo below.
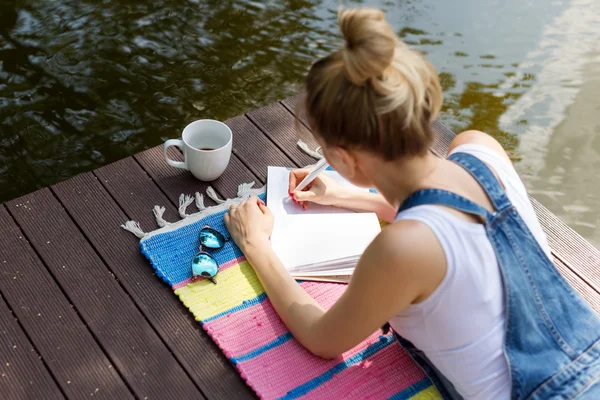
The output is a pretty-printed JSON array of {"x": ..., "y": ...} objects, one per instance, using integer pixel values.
[{"x": 463, "y": 273}]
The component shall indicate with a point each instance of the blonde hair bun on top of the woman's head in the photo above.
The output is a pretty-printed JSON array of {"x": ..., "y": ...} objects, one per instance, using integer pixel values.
[{"x": 370, "y": 43}]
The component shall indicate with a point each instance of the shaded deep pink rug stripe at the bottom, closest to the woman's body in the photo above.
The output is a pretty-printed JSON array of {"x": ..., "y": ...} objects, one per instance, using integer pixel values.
[{"x": 381, "y": 376}]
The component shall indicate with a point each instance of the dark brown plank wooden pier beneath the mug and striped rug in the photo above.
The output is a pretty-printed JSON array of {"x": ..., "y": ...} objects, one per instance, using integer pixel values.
[{"x": 83, "y": 315}]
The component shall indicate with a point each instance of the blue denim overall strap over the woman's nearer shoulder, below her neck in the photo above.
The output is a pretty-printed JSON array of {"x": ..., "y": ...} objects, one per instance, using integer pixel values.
[{"x": 444, "y": 198}]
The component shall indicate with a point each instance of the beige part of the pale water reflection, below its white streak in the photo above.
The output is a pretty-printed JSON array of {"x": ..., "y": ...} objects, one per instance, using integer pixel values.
[{"x": 568, "y": 171}]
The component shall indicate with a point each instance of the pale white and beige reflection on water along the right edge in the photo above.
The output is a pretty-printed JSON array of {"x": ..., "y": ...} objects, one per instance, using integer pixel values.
[{"x": 559, "y": 140}]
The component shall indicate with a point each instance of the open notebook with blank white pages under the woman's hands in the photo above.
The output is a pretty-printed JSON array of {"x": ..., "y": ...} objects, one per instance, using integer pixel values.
[{"x": 321, "y": 243}]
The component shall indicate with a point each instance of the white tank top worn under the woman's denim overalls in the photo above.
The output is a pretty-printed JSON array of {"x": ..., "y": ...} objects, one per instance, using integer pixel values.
[{"x": 460, "y": 326}]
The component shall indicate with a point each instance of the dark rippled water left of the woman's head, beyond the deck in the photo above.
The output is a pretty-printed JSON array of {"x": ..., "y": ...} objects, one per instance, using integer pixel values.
[{"x": 83, "y": 83}]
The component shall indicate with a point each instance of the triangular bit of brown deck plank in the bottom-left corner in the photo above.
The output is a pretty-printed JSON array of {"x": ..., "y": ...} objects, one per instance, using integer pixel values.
[{"x": 23, "y": 375}]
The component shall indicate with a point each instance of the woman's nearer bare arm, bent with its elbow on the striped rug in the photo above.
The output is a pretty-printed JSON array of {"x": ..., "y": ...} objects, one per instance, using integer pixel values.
[{"x": 386, "y": 280}]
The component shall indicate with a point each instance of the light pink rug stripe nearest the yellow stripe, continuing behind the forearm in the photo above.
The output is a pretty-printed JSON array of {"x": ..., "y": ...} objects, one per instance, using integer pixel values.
[{"x": 260, "y": 324}]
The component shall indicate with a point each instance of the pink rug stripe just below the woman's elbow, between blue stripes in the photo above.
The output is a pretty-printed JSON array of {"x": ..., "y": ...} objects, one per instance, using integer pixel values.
[{"x": 275, "y": 372}]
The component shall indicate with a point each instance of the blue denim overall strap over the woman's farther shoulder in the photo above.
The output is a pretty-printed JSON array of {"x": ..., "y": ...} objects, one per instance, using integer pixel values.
[{"x": 486, "y": 178}]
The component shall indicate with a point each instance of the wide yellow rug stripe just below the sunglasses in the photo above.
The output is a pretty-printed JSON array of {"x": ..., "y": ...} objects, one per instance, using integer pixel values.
[{"x": 234, "y": 285}]
